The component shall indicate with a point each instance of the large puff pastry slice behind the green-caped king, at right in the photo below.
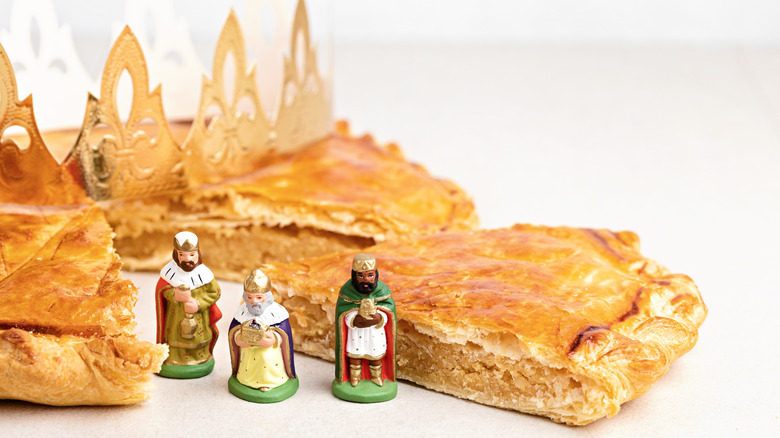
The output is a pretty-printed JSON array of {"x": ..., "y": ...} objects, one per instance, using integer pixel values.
[{"x": 561, "y": 322}]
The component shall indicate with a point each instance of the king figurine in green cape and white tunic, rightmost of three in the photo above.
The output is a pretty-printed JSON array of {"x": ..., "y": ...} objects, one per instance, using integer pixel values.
[{"x": 365, "y": 336}]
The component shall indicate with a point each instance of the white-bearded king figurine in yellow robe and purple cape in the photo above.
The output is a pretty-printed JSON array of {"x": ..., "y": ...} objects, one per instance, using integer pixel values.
[{"x": 261, "y": 346}]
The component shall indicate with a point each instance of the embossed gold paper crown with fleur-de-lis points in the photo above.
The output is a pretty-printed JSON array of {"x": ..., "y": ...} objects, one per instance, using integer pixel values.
[{"x": 114, "y": 159}]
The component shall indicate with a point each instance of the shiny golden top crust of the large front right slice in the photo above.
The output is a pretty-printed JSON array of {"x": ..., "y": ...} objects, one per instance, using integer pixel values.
[{"x": 581, "y": 299}]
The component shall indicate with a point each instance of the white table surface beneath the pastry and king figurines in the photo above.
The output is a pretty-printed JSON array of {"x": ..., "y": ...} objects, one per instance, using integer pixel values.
[{"x": 680, "y": 145}]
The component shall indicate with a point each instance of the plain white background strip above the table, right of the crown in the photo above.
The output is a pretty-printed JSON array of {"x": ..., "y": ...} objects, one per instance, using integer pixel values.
[{"x": 700, "y": 22}]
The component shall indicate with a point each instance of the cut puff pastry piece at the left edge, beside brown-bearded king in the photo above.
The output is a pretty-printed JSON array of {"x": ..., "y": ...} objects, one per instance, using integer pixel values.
[{"x": 66, "y": 322}]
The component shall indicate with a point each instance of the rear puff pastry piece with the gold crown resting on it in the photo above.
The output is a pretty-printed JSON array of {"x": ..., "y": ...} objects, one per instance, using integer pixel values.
[{"x": 340, "y": 193}]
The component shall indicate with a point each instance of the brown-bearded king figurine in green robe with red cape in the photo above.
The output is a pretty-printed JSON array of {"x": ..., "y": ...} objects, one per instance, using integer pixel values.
[{"x": 187, "y": 313}]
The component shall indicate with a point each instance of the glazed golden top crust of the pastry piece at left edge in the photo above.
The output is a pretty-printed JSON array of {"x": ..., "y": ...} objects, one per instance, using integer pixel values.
[{"x": 59, "y": 274}]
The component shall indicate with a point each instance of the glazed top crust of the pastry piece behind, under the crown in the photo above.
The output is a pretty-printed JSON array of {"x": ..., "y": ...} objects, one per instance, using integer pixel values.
[{"x": 340, "y": 184}]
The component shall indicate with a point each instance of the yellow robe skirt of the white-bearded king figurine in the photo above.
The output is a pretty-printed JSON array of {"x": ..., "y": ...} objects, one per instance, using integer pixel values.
[{"x": 260, "y": 366}]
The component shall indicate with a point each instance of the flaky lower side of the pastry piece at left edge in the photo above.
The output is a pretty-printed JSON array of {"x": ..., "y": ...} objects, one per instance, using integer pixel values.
[{"x": 74, "y": 370}]
